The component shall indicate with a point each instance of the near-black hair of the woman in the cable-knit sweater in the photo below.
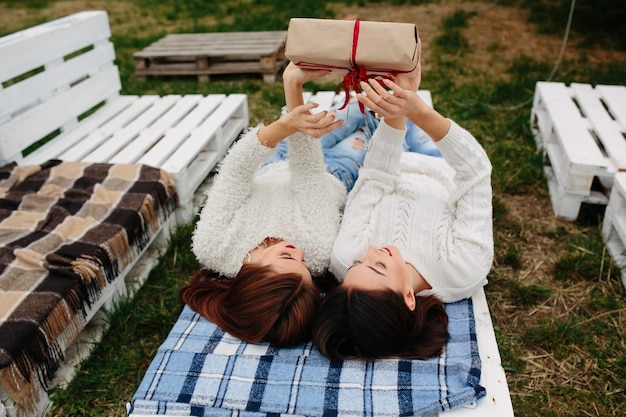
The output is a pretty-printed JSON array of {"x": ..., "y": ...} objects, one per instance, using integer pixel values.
[{"x": 353, "y": 323}]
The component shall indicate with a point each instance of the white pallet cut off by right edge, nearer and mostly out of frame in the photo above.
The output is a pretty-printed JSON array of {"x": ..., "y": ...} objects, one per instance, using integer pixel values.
[{"x": 614, "y": 223}]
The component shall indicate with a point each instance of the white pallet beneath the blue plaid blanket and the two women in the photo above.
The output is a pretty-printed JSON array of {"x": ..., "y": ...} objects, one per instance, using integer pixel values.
[{"x": 497, "y": 402}]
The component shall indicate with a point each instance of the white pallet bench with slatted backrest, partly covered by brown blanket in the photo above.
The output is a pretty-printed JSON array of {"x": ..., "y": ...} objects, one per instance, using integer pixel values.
[{"x": 59, "y": 85}]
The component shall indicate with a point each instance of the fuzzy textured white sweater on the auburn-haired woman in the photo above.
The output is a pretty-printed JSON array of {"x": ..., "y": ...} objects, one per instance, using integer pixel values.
[{"x": 297, "y": 201}]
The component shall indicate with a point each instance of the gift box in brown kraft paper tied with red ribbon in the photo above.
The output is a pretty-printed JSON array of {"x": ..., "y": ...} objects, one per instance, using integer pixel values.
[{"x": 351, "y": 45}]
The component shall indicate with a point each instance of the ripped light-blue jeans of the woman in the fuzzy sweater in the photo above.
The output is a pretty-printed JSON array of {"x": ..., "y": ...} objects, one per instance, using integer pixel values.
[{"x": 344, "y": 148}]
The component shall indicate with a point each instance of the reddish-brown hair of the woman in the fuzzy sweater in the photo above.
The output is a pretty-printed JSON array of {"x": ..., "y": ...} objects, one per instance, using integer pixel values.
[{"x": 258, "y": 304}]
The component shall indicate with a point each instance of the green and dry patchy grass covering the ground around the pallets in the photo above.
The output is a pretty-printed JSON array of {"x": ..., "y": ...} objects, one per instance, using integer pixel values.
[{"x": 557, "y": 303}]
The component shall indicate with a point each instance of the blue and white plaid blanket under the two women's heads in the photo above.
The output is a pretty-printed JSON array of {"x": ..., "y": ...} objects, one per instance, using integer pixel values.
[{"x": 202, "y": 371}]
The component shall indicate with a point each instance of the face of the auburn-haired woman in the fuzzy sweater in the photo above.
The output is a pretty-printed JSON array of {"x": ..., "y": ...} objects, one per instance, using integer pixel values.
[{"x": 283, "y": 256}]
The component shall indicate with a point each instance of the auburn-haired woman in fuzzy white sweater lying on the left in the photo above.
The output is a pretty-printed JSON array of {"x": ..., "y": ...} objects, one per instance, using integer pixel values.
[{"x": 265, "y": 235}]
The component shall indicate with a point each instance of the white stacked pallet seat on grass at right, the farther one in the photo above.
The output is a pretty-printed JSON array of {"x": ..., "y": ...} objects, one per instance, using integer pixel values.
[{"x": 581, "y": 131}]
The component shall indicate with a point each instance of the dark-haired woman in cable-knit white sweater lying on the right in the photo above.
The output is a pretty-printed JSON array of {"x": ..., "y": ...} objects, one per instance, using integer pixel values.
[{"x": 416, "y": 233}]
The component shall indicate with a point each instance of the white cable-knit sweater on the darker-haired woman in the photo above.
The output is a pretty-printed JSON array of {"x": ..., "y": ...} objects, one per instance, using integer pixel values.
[{"x": 437, "y": 212}]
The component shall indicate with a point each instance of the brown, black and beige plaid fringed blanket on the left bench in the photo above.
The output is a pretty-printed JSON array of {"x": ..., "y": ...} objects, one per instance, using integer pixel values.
[{"x": 67, "y": 230}]
